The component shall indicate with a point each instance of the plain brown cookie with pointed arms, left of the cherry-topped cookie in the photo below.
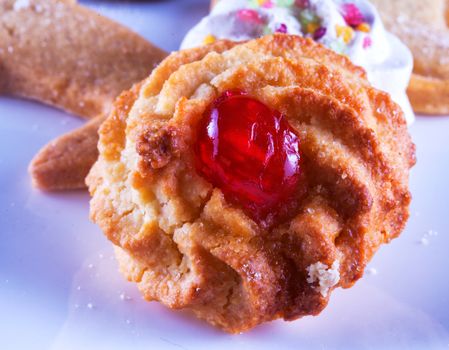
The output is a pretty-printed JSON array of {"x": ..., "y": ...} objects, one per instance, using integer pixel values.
[{"x": 68, "y": 56}]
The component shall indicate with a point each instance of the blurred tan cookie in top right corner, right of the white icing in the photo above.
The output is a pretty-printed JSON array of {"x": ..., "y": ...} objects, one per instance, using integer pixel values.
[{"x": 423, "y": 26}]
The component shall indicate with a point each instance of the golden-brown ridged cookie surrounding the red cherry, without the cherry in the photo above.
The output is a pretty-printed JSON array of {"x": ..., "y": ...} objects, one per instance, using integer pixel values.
[{"x": 187, "y": 247}]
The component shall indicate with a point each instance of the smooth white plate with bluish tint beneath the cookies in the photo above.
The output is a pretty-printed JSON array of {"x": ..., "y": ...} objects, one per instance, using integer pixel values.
[{"x": 59, "y": 285}]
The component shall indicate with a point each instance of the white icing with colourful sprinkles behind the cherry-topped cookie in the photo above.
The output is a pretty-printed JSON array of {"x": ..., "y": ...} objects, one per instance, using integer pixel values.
[{"x": 388, "y": 62}]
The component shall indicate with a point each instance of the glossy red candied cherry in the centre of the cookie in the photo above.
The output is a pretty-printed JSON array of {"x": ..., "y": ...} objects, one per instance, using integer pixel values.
[{"x": 251, "y": 153}]
